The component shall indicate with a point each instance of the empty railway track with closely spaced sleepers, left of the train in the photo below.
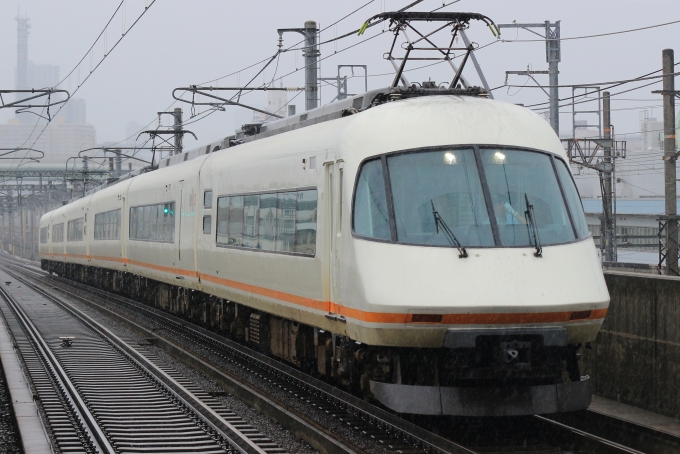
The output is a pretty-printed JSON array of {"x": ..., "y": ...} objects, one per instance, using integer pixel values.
[{"x": 98, "y": 394}]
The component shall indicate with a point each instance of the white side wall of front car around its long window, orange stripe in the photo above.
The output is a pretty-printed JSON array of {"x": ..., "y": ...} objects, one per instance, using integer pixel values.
[{"x": 283, "y": 283}]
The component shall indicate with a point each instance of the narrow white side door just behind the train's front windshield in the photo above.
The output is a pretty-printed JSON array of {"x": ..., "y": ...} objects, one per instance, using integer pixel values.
[{"x": 333, "y": 221}]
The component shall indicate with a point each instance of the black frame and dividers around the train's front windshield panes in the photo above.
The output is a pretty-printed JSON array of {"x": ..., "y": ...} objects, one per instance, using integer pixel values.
[{"x": 485, "y": 187}]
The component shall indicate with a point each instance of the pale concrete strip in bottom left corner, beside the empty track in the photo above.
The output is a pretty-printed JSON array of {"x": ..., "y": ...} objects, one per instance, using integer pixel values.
[{"x": 31, "y": 429}]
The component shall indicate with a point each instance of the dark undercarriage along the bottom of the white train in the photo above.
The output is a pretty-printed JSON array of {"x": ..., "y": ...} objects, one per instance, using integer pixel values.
[{"x": 516, "y": 372}]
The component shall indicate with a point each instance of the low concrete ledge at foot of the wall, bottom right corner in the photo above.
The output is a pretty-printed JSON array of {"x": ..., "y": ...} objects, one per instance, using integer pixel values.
[{"x": 635, "y": 415}]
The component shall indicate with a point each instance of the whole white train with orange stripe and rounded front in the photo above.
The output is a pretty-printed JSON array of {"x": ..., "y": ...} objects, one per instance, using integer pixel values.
[{"x": 425, "y": 247}]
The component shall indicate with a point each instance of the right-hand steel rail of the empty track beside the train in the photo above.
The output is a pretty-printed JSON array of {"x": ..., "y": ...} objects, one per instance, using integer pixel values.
[{"x": 209, "y": 416}]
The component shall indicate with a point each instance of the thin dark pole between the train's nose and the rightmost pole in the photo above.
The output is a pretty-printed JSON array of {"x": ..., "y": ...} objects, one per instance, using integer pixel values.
[{"x": 607, "y": 221}]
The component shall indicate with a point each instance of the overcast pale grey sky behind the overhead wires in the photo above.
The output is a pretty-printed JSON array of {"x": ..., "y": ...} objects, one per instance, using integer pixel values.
[{"x": 177, "y": 43}]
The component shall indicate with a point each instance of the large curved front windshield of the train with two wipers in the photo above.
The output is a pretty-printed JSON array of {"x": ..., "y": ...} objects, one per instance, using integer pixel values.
[{"x": 485, "y": 196}]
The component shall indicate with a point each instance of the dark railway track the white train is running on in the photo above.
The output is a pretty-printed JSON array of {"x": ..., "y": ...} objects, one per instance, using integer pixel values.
[{"x": 359, "y": 426}]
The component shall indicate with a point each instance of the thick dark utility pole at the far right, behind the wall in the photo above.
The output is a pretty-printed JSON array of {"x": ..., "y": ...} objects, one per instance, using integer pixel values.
[{"x": 669, "y": 157}]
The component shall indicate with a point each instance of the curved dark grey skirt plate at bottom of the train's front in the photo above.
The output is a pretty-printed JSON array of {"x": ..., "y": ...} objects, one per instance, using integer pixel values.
[{"x": 459, "y": 401}]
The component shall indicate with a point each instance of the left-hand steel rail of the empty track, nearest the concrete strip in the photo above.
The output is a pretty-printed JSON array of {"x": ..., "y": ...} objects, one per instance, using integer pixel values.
[{"x": 89, "y": 422}]
